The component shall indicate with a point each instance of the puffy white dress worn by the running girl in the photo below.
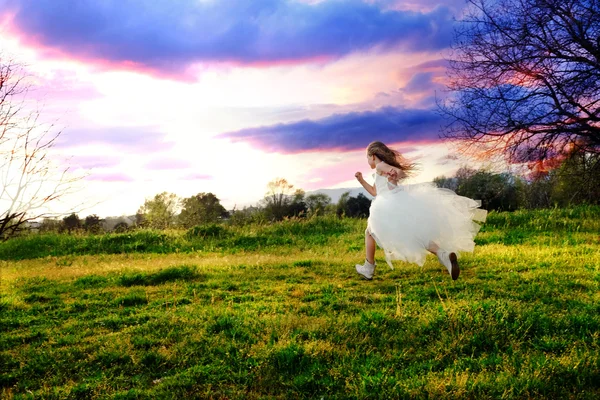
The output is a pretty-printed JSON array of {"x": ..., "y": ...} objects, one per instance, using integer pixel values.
[{"x": 405, "y": 219}]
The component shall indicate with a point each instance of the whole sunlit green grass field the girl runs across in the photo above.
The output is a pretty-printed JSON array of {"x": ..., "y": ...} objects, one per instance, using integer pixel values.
[{"x": 277, "y": 311}]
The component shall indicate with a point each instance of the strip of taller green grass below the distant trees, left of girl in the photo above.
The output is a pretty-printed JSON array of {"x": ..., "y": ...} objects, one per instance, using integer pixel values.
[{"x": 317, "y": 231}]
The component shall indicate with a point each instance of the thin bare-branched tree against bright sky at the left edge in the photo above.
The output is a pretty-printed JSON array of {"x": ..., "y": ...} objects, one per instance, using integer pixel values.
[{"x": 30, "y": 181}]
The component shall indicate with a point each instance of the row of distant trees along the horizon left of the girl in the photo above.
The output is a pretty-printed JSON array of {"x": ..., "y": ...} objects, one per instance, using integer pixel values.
[{"x": 168, "y": 211}]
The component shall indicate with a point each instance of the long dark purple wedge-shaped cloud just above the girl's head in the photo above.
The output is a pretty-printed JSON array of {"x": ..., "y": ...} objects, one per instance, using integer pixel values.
[{"x": 344, "y": 132}]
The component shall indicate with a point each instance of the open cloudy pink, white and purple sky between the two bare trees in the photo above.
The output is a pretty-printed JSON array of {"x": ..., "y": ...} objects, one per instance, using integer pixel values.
[{"x": 224, "y": 96}]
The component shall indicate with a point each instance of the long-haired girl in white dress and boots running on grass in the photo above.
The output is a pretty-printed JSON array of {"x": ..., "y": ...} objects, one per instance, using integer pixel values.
[{"x": 407, "y": 222}]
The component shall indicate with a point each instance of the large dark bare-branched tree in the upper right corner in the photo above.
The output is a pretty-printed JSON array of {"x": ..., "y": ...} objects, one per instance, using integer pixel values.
[{"x": 525, "y": 78}]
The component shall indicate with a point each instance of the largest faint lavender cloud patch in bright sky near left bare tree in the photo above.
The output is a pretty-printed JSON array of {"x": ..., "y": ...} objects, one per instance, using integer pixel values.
[{"x": 138, "y": 139}]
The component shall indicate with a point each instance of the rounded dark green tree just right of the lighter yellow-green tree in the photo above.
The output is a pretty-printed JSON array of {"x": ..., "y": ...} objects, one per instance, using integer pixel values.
[{"x": 201, "y": 209}]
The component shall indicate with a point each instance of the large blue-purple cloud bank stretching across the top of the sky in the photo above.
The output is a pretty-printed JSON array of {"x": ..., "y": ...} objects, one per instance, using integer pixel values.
[{"x": 167, "y": 36}]
